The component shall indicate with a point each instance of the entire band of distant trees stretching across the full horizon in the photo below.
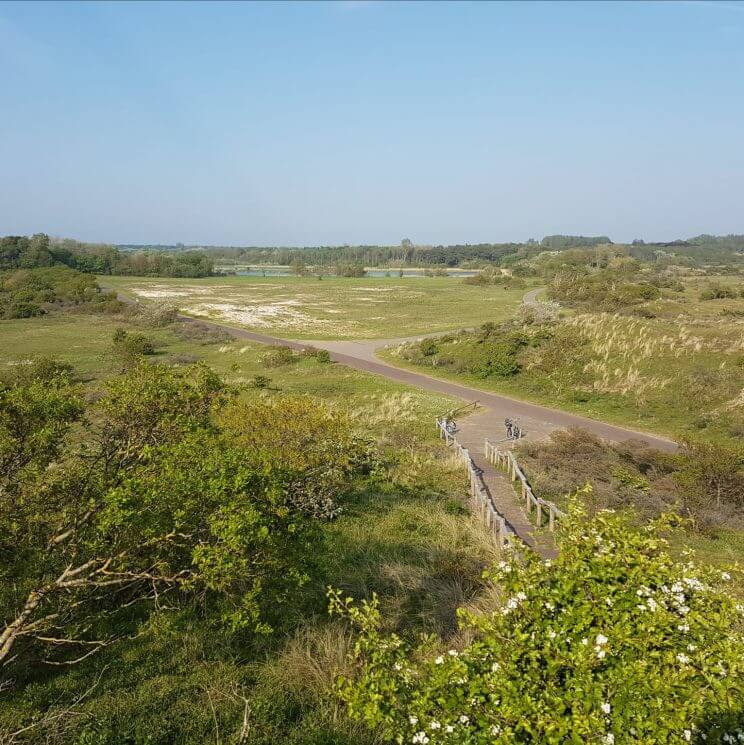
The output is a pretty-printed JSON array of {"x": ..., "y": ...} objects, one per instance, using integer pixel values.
[{"x": 191, "y": 261}]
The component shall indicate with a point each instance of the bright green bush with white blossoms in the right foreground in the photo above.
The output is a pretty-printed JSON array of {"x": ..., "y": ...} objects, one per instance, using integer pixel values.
[{"x": 614, "y": 642}]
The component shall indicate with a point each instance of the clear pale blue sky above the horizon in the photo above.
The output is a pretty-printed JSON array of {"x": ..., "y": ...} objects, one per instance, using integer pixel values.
[{"x": 365, "y": 122}]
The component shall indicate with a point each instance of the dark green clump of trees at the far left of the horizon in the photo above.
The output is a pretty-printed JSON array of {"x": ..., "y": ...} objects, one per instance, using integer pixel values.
[{"x": 37, "y": 251}]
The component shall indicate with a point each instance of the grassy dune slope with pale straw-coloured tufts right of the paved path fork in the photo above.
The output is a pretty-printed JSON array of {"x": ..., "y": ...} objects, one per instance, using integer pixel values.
[{"x": 677, "y": 376}]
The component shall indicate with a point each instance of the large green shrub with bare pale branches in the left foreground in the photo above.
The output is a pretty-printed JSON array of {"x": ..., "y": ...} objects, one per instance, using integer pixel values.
[{"x": 155, "y": 497}]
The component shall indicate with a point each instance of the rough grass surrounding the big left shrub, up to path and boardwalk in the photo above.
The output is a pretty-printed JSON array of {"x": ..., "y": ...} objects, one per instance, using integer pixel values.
[{"x": 182, "y": 675}]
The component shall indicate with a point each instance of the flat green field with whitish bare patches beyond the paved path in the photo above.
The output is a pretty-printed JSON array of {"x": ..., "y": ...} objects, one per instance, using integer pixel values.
[{"x": 334, "y": 308}]
